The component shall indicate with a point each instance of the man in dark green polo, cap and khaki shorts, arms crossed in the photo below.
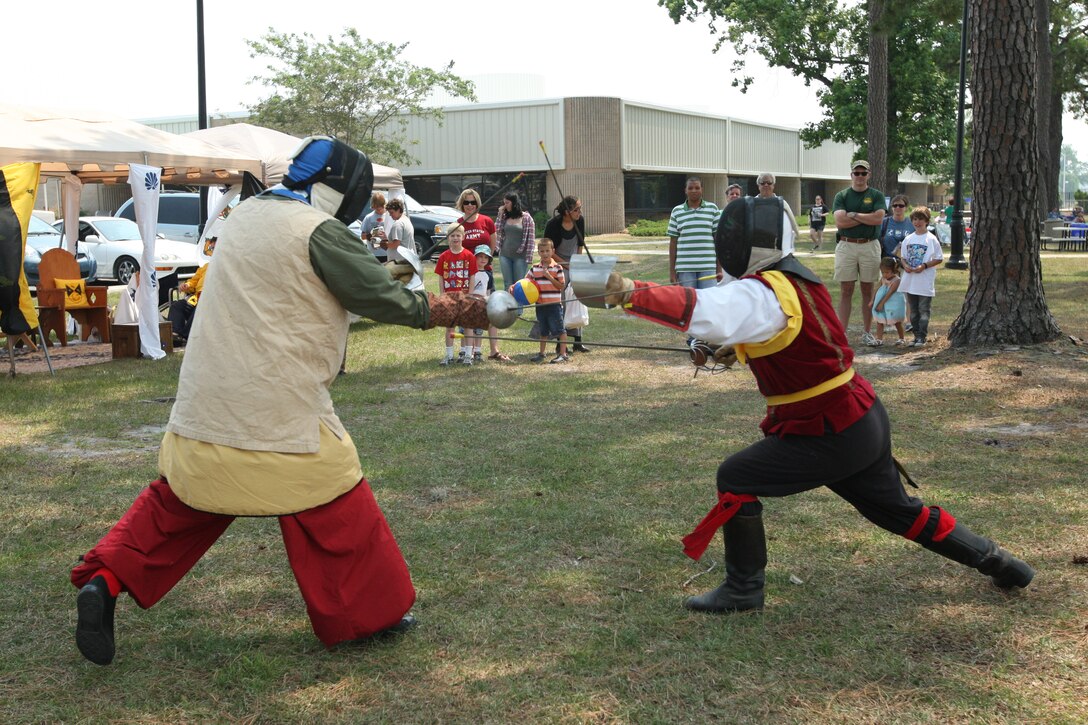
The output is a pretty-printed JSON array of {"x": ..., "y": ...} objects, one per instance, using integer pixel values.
[{"x": 859, "y": 212}]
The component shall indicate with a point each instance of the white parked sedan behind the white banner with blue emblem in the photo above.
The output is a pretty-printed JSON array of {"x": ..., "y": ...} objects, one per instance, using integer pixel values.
[{"x": 117, "y": 245}]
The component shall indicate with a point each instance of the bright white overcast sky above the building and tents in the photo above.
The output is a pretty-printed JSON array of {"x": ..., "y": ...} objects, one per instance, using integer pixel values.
[{"x": 138, "y": 59}]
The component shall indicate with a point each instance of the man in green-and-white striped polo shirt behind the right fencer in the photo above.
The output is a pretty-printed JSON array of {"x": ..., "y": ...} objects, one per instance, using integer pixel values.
[{"x": 693, "y": 260}]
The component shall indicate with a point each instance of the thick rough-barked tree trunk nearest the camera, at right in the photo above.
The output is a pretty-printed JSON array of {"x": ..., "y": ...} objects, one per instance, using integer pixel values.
[{"x": 1005, "y": 302}]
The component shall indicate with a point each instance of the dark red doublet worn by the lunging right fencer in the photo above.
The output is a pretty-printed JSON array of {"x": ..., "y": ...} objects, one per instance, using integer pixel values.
[{"x": 818, "y": 354}]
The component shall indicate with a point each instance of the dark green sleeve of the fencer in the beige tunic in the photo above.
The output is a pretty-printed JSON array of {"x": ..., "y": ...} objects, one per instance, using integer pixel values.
[{"x": 360, "y": 281}]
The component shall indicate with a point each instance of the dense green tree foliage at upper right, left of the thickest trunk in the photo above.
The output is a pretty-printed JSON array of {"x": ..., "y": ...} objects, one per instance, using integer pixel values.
[{"x": 827, "y": 43}]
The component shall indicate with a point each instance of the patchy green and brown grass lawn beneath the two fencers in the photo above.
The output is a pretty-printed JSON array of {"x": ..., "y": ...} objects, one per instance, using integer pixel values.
[{"x": 540, "y": 509}]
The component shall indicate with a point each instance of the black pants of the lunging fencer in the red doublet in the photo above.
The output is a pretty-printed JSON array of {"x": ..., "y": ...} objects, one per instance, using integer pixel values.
[{"x": 857, "y": 464}]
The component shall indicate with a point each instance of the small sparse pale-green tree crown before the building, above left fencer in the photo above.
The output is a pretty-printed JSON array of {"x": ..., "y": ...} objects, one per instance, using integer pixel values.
[{"x": 355, "y": 90}]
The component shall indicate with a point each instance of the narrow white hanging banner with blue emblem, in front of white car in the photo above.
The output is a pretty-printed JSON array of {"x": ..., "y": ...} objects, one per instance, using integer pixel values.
[{"x": 145, "y": 182}]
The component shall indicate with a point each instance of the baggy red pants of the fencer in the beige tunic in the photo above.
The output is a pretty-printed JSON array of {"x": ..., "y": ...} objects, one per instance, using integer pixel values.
[{"x": 347, "y": 562}]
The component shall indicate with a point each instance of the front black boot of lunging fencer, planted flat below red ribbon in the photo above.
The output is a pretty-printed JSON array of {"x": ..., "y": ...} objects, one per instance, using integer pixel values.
[{"x": 746, "y": 560}]
